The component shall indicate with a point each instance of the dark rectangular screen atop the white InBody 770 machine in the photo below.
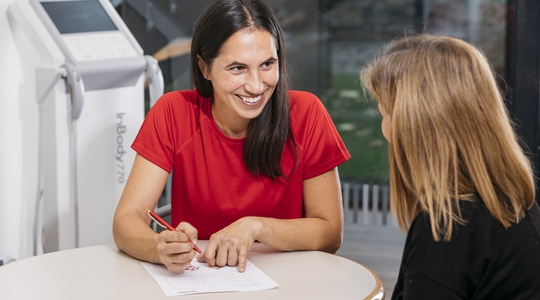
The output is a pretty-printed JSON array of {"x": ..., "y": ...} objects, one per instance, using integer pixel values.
[{"x": 78, "y": 16}]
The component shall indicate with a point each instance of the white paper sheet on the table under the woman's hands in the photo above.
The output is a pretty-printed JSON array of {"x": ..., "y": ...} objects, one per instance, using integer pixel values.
[{"x": 201, "y": 278}]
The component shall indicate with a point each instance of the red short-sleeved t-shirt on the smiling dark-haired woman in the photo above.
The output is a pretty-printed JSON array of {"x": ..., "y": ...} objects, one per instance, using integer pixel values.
[{"x": 211, "y": 186}]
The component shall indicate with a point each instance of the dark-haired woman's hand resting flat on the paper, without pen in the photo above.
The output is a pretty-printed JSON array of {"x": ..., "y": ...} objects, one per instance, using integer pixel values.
[{"x": 230, "y": 245}]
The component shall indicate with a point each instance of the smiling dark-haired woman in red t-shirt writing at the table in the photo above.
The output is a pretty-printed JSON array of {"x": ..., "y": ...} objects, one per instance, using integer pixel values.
[{"x": 251, "y": 160}]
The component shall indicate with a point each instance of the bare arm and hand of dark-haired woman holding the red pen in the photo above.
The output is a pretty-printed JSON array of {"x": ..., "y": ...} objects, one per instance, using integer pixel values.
[{"x": 131, "y": 227}]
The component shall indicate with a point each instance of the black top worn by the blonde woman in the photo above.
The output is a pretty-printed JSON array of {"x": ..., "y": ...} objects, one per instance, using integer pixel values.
[{"x": 483, "y": 260}]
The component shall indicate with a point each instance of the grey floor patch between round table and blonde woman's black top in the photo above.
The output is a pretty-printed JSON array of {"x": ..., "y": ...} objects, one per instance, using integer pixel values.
[{"x": 376, "y": 247}]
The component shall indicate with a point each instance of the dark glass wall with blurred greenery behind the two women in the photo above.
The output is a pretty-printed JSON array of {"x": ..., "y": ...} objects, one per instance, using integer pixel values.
[{"x": 328, "y": 42}]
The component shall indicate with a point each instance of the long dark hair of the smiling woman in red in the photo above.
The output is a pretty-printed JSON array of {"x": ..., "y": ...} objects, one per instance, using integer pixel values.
[{"x": 267, "y": 134}]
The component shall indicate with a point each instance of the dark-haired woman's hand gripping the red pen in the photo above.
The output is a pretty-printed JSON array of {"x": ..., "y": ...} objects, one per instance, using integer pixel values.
[{"x": 174, "y": 248}]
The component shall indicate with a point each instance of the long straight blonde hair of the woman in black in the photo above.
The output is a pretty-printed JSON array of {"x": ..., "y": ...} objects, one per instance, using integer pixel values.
[{"x": 451, "y": 137}]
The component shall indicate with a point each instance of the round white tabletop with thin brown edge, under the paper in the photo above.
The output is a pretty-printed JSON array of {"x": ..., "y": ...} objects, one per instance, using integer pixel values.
[{"x": 104, "y": 272}]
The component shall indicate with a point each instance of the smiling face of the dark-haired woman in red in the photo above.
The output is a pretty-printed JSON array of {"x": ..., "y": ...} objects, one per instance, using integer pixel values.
[{"x": 244, "y": 76}]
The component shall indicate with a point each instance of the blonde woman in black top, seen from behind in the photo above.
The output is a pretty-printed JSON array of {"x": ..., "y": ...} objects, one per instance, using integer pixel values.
[{"x": 461, "y": 186}]
